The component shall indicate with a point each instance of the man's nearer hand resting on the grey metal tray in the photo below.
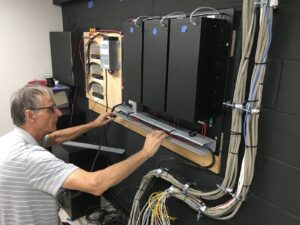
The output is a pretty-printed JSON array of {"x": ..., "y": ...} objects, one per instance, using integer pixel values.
[{"x": 153, "y": 141}]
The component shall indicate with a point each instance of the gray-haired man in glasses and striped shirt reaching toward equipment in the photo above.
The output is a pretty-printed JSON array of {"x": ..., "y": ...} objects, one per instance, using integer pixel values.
[{"x": 30, "y": 176}]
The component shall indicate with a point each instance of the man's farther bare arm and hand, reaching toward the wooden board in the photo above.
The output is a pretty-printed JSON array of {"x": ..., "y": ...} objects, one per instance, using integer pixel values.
[{"x": 68, "y": 134}]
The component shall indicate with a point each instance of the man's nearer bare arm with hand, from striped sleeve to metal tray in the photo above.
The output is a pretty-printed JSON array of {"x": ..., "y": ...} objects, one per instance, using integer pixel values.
[{"x": 98, "y": 182}]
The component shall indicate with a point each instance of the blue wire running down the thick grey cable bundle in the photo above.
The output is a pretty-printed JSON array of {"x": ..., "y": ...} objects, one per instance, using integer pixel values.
[{"x": 258, "y": 72}]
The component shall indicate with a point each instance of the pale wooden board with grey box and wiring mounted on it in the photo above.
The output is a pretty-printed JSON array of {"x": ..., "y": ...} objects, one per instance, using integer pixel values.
[{"x": 102, "y": 59}]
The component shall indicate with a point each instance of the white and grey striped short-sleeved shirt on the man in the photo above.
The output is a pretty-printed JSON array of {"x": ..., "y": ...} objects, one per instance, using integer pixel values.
[{"x": 30, "y": 178}]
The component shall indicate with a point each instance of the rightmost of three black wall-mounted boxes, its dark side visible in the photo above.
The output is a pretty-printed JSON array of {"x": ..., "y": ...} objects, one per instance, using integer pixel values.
[{"x": 197, "y": 68}]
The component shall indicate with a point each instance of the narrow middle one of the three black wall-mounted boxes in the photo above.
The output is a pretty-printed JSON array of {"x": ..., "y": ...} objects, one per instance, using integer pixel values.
[{"x": 155, "y": 64}]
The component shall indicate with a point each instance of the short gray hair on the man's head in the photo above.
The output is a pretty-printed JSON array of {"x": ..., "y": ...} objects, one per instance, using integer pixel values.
[{"x": 26, "y": 98}]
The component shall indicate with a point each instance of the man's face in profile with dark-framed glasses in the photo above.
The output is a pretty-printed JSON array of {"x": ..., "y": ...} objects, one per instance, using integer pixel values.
[{"x": 46, "y": 115}]
